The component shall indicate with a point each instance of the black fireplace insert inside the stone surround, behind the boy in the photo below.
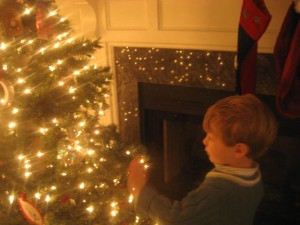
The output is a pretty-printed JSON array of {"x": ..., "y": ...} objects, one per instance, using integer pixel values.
[{"x": 170, "y": 127}]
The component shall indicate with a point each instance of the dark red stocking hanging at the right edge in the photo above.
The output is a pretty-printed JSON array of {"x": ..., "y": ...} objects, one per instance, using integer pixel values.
[{"x": 287, "y": 59}]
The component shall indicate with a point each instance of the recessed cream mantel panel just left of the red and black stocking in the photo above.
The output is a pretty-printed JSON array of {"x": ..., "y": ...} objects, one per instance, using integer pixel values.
[{"x": 198, "y": 15}]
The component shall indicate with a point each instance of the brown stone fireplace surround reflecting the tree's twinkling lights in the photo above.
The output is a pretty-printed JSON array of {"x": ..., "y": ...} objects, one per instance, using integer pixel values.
[{"x": 181, "y": 67}]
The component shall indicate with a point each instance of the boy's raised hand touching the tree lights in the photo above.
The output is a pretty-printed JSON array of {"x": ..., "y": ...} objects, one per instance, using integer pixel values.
[{"x": 137, "y": 176}]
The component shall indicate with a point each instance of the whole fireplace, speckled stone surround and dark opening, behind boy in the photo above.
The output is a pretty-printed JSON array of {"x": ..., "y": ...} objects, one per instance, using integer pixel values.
[{"x": 162, "y": 96}]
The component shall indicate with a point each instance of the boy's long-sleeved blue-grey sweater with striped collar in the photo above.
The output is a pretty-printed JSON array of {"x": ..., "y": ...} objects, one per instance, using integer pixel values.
[{"x": 227, "y": 196}]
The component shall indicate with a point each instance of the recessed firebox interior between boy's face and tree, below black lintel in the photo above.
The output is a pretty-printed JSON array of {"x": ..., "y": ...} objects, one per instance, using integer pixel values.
[{"x": 174, "y": 142}]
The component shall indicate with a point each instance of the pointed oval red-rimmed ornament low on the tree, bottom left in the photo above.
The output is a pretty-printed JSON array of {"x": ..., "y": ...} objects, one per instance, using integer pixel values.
[{"x": 29, "y": 211}]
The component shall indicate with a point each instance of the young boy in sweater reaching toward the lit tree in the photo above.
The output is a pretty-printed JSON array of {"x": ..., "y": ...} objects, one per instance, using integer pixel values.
[{"x": 239, "y": 129}]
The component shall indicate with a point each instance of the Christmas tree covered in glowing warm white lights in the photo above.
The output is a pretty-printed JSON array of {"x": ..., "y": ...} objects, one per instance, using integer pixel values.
[{"x": 59, "y": 165}]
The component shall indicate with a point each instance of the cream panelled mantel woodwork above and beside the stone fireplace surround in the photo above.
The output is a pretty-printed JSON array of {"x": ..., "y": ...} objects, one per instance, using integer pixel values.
[{"x": 191, "y": 24}]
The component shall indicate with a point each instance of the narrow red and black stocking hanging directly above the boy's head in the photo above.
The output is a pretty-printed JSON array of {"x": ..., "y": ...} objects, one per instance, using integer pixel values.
[{"x": 254, "y": 20}]
